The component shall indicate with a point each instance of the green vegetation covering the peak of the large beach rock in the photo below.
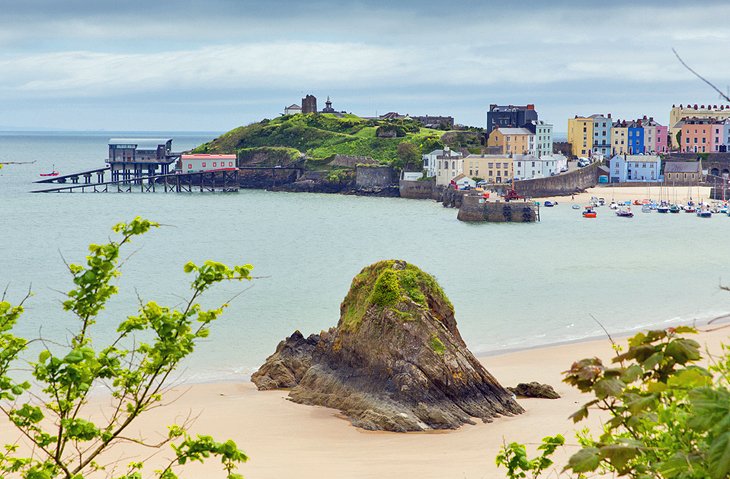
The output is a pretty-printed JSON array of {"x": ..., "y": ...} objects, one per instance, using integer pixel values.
[{"x": 386, "y": 284}]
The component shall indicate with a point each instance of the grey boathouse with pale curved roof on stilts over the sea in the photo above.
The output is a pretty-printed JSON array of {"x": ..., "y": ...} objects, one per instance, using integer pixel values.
[{"x": 136, "y": 157}]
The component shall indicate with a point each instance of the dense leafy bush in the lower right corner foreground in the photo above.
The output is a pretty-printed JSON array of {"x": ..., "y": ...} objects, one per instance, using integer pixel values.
[{"x": 669, "y": 418}]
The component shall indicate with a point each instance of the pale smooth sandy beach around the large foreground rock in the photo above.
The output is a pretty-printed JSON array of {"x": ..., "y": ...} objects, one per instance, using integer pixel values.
[{"x": 284, "y": 439}]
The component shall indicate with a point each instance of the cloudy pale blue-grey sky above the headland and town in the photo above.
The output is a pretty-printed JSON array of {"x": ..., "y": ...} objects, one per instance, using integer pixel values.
[{"x": 211, "y": 65}]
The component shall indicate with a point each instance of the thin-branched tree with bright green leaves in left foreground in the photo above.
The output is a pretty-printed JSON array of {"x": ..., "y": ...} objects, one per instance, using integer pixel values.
[{"x": 136, "y": 367}]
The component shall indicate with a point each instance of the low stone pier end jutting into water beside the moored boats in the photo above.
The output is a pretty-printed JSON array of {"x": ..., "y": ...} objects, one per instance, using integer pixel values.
[{"x": 476, "y": 209}]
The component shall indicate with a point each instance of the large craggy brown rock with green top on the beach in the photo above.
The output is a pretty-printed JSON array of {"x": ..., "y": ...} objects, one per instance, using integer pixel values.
[{"x": 395, "y": 361}]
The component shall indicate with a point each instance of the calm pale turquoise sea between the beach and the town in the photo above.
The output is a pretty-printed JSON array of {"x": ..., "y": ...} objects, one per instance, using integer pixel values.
[{"x": 513, "y": 285}]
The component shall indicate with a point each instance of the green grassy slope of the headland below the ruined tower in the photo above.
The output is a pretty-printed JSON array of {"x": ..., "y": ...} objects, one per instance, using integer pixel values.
[{"x": 321, "y": 136}]
